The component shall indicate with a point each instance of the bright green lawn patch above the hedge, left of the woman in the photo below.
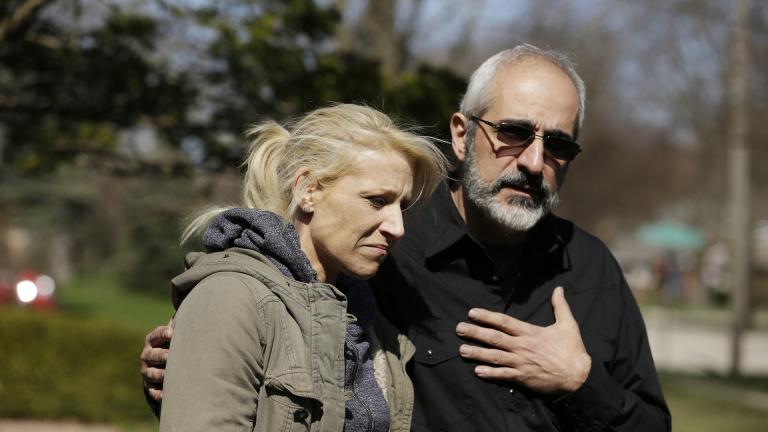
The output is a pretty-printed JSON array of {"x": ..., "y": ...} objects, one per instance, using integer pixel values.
[{"x": 102, "y": 297}]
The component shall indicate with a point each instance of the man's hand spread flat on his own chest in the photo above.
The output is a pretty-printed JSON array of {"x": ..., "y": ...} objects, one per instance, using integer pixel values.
[{"x": 549, "y": 359}]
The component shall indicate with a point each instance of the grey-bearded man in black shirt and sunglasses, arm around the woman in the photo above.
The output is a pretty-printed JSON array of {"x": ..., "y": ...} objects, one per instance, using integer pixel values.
[{"x": 479, "y": 281}]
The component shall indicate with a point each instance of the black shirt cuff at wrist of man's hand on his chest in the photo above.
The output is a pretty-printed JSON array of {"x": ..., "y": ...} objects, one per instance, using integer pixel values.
[{"x": 596, "y": 402}]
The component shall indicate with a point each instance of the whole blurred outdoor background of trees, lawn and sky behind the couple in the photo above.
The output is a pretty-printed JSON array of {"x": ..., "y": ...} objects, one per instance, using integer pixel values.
[{"x": 120, "y": 118}]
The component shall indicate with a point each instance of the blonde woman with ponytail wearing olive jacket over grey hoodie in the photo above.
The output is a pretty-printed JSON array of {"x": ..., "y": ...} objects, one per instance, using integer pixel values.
[{"x": 263, "y": 340}]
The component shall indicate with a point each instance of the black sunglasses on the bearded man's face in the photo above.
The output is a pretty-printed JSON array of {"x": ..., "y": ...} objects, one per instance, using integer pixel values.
[{"x": 518, "y": 137}]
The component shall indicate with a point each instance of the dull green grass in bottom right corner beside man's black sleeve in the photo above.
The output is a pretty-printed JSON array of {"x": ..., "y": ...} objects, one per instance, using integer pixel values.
[{"x": 709, "y": 404}]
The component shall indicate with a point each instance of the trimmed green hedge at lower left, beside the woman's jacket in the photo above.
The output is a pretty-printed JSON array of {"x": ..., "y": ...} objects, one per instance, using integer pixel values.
[{"x": 57, "y": 366}]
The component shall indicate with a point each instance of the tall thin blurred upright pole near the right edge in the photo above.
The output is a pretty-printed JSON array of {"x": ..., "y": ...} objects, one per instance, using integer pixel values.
[{"x": 739, "y": 182}]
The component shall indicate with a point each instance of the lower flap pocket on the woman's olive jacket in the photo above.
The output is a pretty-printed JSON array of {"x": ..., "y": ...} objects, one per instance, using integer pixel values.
[{"x": 281, "y": 411}]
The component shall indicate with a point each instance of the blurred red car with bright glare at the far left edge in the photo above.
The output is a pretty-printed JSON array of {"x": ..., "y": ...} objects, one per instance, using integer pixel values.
[{"x": 28, "y": 288}]
